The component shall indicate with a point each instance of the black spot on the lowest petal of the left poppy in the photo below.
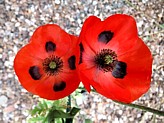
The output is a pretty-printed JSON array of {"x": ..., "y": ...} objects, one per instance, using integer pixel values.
[{"x": 59, "y": 86}]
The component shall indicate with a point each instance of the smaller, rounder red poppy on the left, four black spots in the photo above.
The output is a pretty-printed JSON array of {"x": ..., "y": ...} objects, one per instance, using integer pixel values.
[{"x": 47, "y": 65}]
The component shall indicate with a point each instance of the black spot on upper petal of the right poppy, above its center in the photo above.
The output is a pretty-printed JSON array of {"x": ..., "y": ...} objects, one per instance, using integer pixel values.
[{"x": 105, "y": 36}]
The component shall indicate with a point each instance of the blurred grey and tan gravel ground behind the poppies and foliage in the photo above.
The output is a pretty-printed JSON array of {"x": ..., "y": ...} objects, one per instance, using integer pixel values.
[{"x": 19, "y": 19}]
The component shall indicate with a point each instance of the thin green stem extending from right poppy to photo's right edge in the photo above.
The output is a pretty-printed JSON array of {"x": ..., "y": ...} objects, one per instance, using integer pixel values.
[{"x": 154, "y": 111}]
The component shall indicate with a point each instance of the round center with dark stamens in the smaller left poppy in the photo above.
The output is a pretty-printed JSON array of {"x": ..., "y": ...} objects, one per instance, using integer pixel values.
[{"x": 52, "y": 65}]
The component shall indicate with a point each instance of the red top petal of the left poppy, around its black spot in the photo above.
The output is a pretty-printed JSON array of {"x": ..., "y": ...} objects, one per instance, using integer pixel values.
[{"x": 54, "y": 33}]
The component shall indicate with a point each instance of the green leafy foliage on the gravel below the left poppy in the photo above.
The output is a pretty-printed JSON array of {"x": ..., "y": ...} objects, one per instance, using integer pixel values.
[{"x": 51, "y": 112}]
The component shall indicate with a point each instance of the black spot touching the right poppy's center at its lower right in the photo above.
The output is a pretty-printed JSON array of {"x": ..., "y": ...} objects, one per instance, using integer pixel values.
[{"x": 119, "y": 70}]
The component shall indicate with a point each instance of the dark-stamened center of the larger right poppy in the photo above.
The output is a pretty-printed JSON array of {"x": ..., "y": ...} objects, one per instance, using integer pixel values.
[{"x": 105, "y": 60}]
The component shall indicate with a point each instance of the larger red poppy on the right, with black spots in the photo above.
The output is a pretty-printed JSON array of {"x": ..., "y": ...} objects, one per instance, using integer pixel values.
[{"x": 113, "y": 59}]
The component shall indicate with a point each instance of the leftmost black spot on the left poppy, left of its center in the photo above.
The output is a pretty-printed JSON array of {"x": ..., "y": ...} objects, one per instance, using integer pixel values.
[{"x": 34, "y": 72}]
